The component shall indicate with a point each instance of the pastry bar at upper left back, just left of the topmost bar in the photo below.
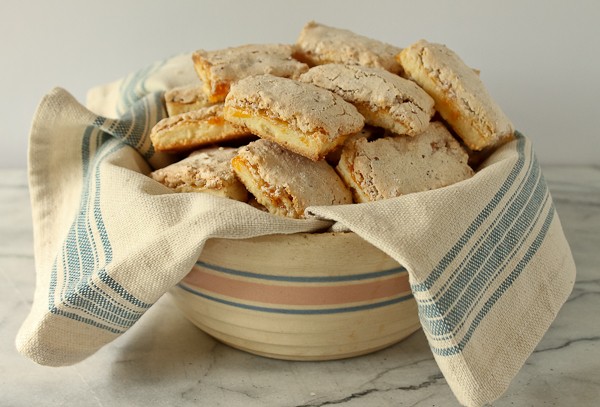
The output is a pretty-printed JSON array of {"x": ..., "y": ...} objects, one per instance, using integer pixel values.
[{"x": 219, "y": 69}]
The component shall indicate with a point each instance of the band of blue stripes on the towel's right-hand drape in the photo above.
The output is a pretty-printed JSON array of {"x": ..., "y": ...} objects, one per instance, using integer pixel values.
[{"x": 445, "y": 311}]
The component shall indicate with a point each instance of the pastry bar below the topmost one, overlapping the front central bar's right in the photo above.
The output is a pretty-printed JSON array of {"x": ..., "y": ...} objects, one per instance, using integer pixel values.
[{"x": 383, "y": 98}]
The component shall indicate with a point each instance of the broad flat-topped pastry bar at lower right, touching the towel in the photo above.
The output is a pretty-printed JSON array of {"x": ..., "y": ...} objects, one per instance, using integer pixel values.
[{"x": 393, "y": 166}]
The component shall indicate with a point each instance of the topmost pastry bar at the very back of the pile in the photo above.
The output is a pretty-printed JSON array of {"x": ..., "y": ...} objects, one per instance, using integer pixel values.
[{"x": 320, "y": 44}]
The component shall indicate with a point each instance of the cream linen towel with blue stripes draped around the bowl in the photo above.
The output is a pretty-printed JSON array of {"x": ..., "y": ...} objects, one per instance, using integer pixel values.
[{"x": 488, "y": 262}]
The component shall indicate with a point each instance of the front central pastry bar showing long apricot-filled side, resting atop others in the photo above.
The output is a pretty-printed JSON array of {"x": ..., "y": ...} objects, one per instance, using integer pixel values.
[{"x": 302, "y": 117}]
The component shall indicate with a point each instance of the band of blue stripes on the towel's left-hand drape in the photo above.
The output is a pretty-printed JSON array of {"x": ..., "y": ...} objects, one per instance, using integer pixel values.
[{"x": 86, "y": 254}]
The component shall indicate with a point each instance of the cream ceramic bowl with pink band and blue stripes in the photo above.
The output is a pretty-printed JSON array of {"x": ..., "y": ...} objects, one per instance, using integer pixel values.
[{"x": 299, "y": 297}]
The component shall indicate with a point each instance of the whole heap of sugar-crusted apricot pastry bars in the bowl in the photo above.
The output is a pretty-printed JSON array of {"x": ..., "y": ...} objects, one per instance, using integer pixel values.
[{"x": 334, "y": 119}]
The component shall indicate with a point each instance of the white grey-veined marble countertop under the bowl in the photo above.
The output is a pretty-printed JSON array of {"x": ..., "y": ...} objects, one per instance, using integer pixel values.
[{"x": 166, "y": 361}]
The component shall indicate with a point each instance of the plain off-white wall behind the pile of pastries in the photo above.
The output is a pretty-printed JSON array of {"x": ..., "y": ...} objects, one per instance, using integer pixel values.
[{"x": 539, "y": 59}]
